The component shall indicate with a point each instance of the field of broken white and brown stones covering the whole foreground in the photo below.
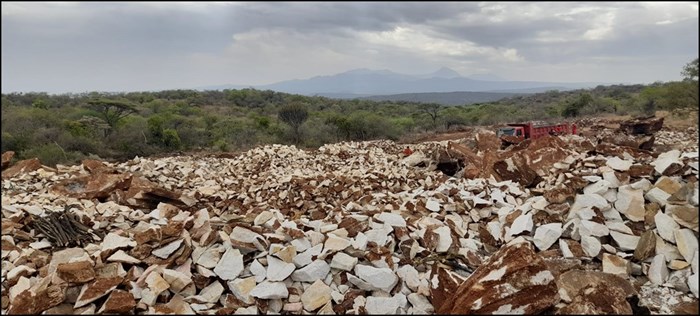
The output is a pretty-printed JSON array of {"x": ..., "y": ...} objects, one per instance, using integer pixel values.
[{"x": 601, "y": 222}]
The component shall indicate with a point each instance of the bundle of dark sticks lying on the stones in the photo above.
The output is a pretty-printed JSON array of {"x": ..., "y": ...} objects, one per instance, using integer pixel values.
[{"x": 63, "y": 229}]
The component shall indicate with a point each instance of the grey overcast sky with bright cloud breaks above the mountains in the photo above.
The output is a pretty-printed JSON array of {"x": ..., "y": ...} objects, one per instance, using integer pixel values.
[{"x": 78, "y": 47}]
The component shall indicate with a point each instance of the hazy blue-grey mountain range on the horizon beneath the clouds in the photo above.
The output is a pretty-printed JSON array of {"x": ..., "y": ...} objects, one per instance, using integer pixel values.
[{"x": 364, "y": 82}]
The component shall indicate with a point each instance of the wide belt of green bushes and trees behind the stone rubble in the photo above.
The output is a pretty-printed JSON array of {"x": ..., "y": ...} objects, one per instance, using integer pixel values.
[{"x": 69, "y": 127}]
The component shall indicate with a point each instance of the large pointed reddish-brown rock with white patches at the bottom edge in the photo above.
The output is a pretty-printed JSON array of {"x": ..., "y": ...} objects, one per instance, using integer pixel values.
[{"x": 514, "y": 279}]
